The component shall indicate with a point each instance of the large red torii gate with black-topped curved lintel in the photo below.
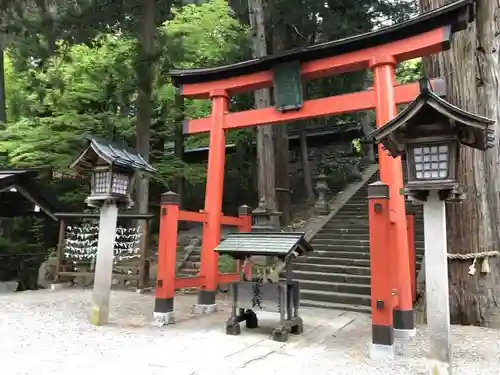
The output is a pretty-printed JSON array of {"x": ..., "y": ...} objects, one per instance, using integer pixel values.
[{"x": 379, "y": 51}]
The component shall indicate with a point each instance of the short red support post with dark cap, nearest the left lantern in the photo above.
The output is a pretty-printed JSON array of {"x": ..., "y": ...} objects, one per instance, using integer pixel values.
[{"x": 167, "y": 251}]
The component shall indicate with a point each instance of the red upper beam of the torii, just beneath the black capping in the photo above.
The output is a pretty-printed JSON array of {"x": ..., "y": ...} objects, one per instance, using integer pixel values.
[{"x": 421, "y": 45}]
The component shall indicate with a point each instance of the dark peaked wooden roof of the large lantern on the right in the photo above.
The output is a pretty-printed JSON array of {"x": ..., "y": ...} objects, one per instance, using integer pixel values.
[{"x": 430, "y": 117}]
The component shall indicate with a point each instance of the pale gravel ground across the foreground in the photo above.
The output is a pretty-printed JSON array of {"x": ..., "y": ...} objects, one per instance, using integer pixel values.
[{"x": 47, "y": 332}]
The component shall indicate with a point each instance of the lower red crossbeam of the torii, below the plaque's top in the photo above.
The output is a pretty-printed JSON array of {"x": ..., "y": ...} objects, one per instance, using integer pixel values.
[{"x": 334, "y": 105}]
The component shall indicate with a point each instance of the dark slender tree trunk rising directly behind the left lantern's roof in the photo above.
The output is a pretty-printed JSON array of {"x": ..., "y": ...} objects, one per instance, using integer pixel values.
[{"x": 145, "y": 74}]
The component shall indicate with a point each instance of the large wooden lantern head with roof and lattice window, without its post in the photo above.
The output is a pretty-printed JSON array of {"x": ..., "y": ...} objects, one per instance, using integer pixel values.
[{"x": 430, "y": 131}]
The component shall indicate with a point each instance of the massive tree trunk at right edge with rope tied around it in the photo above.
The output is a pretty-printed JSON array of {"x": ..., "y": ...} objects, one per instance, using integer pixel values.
[{"x": 472, "y": 72}]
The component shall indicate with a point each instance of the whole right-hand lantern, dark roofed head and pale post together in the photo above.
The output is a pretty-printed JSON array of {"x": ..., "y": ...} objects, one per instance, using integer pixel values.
[{"x": 430, "y": 131}]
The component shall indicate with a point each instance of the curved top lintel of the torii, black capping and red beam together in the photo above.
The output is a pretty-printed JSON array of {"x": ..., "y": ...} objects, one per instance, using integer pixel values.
[{"x": 423, "y": 35}]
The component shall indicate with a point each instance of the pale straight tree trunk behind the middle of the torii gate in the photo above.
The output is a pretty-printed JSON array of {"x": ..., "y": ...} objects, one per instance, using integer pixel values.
[{"x": 265, "y": 144}]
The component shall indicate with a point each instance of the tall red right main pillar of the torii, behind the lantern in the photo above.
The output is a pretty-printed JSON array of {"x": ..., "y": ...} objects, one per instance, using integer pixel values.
[{"x": 391, "y": 173}]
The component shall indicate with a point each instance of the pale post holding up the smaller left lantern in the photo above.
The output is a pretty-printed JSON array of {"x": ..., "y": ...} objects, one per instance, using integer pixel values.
[{"x": 104, "y": 264}]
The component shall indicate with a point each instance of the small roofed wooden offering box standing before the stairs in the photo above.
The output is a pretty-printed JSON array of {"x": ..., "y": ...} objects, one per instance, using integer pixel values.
[{"x": 271, "y": 254}]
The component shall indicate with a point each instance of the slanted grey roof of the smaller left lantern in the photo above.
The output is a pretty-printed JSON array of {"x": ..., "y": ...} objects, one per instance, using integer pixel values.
[{"x": 102, "y": 152}]
